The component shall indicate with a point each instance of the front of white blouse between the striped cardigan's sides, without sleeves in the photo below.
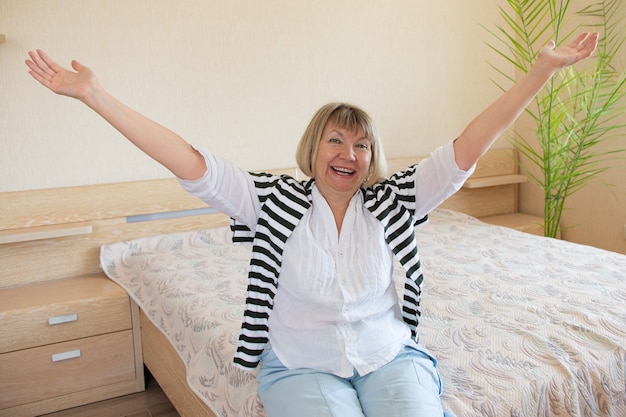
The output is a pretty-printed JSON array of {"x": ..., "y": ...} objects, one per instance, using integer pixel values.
[{"x": 336, "y": 308}]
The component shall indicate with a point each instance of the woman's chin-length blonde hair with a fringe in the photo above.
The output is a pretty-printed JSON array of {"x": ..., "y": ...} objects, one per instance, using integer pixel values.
[{"x": 345, "y": 116}]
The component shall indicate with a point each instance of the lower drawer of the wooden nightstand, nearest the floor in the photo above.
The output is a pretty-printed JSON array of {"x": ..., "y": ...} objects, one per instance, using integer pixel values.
[{"x": 44, "y": 372}]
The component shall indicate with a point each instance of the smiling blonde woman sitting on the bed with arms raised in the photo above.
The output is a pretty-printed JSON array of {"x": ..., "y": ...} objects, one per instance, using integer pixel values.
[{"x": 332, "y": 339}]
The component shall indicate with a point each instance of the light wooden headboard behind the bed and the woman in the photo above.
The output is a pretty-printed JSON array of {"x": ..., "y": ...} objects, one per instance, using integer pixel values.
[{"x": 63, "y": 228}]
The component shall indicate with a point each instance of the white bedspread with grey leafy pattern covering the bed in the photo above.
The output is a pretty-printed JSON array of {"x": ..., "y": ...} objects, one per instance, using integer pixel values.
[{"x": 521, "y": 325}]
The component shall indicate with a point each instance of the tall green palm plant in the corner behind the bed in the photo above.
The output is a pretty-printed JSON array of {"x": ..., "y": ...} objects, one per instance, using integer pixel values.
[{"x": 578, "y": 109}]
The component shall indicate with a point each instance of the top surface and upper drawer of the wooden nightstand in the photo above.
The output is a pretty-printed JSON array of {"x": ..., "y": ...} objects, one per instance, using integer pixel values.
[{"x": 43, "y": 314}]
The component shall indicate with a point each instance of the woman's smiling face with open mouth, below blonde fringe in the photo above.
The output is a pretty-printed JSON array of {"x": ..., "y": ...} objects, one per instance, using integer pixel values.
[{"x": 342, "y": 162}]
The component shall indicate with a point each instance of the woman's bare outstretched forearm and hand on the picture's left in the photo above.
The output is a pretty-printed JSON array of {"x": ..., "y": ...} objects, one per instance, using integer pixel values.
[{"x": 160, "y": 143}]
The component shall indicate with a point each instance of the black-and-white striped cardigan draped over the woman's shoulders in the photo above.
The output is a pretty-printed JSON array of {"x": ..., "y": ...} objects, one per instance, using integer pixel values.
[{"x": 284, "y": 201}]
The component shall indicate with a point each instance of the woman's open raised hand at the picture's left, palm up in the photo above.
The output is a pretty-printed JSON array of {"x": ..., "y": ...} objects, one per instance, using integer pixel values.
[{"x": 78, "y": 84}]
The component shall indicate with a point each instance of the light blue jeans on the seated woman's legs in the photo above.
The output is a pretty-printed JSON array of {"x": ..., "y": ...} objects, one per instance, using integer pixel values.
[{"x": 409, "y": 385}]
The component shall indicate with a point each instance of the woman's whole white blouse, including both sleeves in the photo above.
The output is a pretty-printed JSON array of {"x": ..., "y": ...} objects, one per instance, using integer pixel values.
[{"x": 336, "y": 308}]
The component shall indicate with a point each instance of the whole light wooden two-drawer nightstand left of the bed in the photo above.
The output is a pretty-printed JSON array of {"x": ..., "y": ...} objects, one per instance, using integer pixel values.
[{"x": 65, "y": 343}]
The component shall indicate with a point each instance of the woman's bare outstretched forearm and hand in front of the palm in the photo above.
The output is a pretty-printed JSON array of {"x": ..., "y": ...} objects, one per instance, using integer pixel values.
[{"x": 480, "y": 134}]
